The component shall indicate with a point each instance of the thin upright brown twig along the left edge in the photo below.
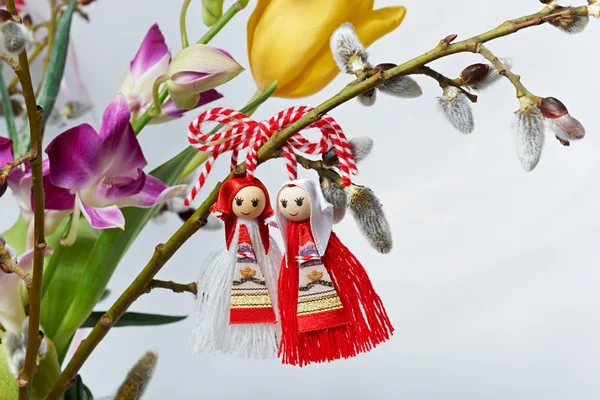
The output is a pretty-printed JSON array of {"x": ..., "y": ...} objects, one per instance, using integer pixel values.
[{"x": 35, "y": 291}]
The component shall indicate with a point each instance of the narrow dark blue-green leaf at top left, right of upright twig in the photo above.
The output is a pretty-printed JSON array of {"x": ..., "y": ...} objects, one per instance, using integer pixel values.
[{"x": 56, "y": 65}]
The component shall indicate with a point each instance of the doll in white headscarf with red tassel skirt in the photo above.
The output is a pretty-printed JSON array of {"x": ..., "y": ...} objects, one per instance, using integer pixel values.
[{"x": 328, "y": 307}]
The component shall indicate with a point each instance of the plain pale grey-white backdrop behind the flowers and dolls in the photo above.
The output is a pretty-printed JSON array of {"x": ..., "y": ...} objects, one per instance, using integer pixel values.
[{"x": 493, "y": 281}]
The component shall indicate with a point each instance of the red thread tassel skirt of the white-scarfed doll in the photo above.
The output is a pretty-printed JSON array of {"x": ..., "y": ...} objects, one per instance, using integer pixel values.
[{"x": 369, "y": 323}]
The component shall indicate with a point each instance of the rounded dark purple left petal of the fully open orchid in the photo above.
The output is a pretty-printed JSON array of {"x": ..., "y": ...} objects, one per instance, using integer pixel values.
[{"x": 74, "y": 157}]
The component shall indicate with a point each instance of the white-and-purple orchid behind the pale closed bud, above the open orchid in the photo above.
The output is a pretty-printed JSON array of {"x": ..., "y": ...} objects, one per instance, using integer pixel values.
[{"x": 150, "y": 63}]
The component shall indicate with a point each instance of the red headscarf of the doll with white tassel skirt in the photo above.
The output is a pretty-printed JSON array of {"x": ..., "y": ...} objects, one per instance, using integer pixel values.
[{"x": 227, "y": 193}]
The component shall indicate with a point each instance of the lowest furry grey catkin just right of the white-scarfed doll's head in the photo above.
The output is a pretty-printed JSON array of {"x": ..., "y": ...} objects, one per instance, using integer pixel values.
[{"x": 370, "y": 218}]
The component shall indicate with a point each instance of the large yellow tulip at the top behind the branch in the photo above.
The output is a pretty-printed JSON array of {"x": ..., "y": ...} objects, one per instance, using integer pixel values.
[{"x": 288, "y": 40}]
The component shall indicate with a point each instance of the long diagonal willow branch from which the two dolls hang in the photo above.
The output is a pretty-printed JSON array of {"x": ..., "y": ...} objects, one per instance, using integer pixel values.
[{"x": 164, "y": 252}]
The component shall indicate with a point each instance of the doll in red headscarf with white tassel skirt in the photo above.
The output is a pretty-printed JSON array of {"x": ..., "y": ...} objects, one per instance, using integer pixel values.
[{"x": 237, "y": 288}]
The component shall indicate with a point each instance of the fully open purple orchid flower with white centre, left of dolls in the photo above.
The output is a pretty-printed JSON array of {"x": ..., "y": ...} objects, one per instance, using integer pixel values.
[{"x": 103, "y": 171}]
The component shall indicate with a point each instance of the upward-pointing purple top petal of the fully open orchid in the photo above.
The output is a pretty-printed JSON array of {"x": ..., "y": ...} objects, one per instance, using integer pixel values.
[{"x": 121, "y": 153}]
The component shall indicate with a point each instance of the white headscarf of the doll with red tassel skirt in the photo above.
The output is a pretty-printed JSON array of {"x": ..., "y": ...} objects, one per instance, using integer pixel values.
[{"x": 321, "y": 214}]
